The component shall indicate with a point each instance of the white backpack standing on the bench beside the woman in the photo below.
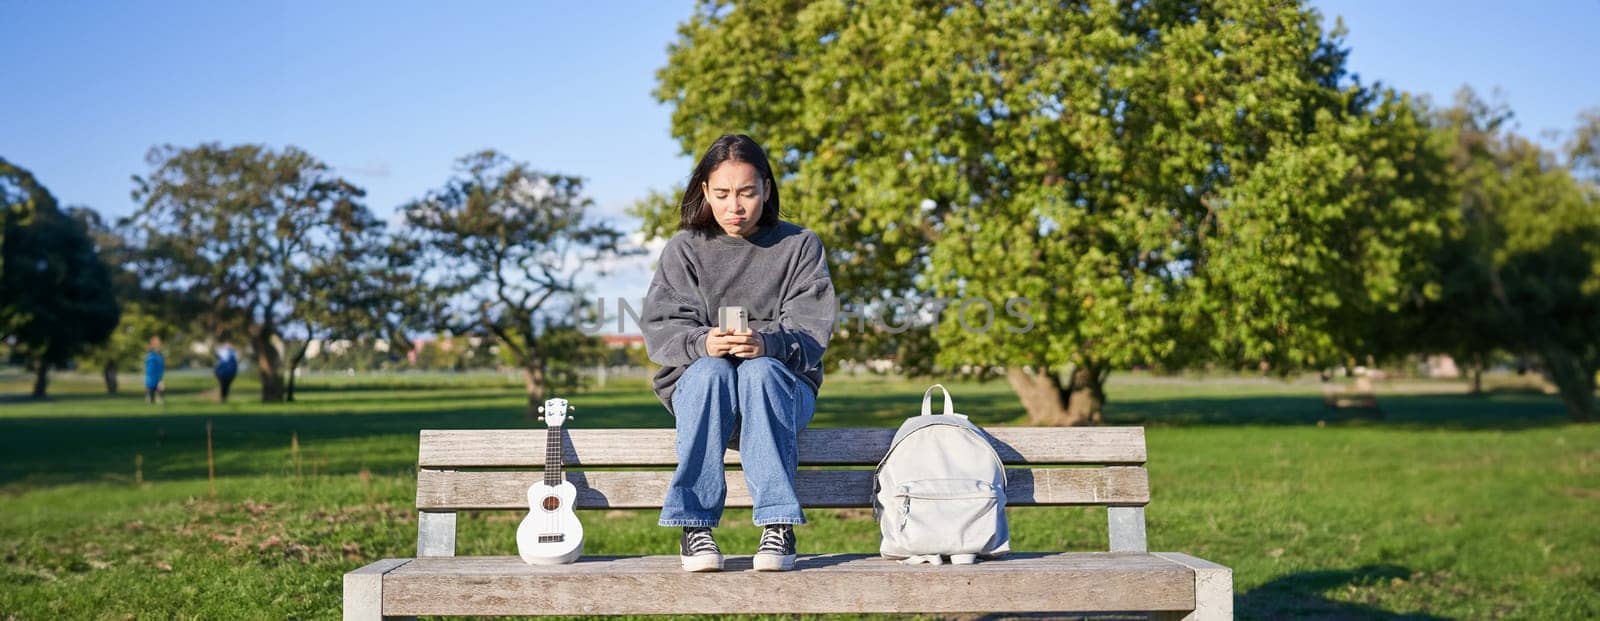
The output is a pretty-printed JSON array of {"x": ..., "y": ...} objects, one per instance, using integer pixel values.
[{"x": 940, "y": 491}]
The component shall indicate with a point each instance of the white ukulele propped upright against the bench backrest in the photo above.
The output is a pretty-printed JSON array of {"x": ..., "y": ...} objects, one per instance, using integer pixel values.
[{"x": 551, "y": 534}]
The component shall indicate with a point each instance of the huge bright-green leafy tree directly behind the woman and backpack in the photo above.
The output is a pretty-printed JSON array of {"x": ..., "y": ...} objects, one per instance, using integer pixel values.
[{"x": 1166, "y": 183}]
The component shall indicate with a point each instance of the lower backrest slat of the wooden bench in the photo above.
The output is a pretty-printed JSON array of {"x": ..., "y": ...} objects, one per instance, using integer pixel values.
[{"x": 454, "y": 491}]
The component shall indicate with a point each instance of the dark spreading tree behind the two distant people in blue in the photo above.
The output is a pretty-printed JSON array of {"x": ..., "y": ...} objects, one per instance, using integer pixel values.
[{"x": 244, "y": 228}]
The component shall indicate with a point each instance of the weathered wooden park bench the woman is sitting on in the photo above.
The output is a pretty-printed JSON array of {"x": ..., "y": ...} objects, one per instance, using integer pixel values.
[{"x": 492, "y": 470}]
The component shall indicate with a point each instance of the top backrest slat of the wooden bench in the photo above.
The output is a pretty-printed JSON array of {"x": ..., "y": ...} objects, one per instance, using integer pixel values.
[{"x": 818, "y": 447}]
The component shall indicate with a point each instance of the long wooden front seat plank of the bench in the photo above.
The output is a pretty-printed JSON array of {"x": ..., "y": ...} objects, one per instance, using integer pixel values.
[{"x": 838, "y": 583}]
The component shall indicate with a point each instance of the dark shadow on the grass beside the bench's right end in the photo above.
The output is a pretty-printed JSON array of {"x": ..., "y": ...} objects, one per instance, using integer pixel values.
[{"x": 1300, "y": 596}]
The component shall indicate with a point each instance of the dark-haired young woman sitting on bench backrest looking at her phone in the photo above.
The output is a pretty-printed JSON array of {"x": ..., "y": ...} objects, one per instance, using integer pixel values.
[{"x": 756, "y": 388}]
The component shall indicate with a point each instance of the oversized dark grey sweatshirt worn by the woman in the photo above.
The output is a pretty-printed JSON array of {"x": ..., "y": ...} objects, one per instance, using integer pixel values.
[{"x": 778, "y": 274}]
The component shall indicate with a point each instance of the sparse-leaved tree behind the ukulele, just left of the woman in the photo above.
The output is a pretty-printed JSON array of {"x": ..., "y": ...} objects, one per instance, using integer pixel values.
[{"x": 510, "y": 246}]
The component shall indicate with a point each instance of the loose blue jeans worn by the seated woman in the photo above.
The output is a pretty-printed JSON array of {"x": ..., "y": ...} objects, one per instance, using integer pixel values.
[{"x": 769, "y": 406}]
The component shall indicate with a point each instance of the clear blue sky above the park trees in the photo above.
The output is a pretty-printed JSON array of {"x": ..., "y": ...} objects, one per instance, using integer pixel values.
[{"x": 393, "y": 92}]
